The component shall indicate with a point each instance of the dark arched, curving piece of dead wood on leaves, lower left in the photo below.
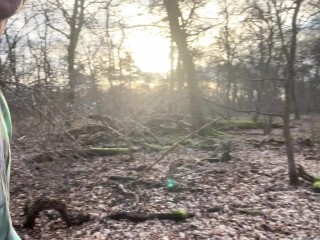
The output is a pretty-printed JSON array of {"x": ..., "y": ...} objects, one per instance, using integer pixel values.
[{"x": 45, "y": 203}]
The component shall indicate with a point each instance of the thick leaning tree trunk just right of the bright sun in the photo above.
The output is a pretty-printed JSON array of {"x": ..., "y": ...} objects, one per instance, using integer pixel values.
[{"x": 179, "y": 36}]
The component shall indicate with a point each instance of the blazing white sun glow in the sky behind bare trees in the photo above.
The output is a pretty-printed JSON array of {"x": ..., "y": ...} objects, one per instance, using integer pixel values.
[{"x": 150, "y": 52}]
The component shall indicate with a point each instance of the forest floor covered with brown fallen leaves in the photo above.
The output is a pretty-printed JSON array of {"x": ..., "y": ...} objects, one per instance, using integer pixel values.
[{"x": 246, "y": 198}]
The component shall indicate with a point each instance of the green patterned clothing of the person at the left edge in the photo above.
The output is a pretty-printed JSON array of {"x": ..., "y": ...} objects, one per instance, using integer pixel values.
[{"x": 6, "y": 230}]
